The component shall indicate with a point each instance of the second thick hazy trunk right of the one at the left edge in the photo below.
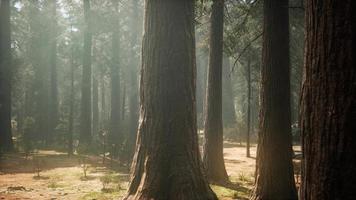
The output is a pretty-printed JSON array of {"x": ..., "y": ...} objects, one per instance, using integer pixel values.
[{"x": 86, "y": 115}]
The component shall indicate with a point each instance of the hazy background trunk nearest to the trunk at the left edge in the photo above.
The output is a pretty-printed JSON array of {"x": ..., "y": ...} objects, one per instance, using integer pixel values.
[{"x": 53, "y": 104}]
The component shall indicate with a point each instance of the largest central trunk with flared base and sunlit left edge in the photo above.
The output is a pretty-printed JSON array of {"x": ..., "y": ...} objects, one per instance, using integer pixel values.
[{"x": 167, "y": 162}]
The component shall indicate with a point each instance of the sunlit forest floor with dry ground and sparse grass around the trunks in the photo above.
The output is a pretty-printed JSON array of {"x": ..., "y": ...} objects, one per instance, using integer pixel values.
[{"x": 62, "y": 177}]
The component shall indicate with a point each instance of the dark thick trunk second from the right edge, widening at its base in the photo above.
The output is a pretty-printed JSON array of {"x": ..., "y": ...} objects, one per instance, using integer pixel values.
[{"x": 274, "y": 172}]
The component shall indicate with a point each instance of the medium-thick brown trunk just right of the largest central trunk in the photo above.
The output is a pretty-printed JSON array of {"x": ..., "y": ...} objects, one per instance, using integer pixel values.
[{"x": 213, "y": 157}]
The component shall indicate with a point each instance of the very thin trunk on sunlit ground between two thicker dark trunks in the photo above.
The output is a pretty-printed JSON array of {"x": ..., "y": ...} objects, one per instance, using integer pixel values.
[{"x": 248, "y": 107}]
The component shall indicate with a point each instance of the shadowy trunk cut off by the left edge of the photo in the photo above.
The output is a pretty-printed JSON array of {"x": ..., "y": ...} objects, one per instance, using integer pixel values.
[{"x": 5, "y": 80}]
